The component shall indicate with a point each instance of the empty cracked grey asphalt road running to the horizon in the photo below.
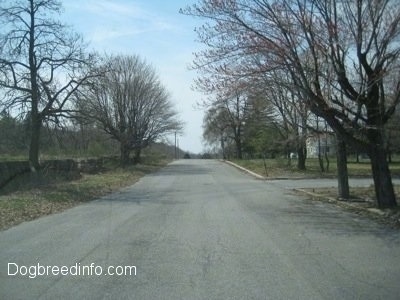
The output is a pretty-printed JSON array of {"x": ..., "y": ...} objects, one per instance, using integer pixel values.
[{"x": 201, "y": 230}]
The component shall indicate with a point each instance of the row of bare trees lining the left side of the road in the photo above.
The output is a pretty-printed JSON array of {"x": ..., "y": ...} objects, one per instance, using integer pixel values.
[{"x": 49, "y": 80}]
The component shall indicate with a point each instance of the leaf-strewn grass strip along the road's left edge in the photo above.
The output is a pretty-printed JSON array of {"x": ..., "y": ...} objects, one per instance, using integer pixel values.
[{"x": 52, "y": 196}]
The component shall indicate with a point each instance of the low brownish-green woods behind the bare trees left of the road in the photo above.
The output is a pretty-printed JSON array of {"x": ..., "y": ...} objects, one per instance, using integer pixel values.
[{"x": 72, "y": 140}]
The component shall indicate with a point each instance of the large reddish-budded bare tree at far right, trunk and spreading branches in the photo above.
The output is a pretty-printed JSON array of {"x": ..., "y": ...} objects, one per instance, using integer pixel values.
[{"x": 358, "y": 39}]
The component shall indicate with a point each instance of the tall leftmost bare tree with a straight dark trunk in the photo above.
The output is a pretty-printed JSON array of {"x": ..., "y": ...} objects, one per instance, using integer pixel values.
[{"x": 41, "y": 64}]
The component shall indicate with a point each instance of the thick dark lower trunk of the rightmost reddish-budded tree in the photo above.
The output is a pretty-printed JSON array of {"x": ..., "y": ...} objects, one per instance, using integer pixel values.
[{"x": 382, "y": 178}]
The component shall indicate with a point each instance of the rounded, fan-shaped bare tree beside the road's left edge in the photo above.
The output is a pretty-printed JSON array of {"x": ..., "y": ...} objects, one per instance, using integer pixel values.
[{"x": 130, "y": 104}]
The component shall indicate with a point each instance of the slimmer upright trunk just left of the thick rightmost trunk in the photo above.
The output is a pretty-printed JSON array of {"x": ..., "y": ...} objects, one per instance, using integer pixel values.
[{"x": 342, "y": 172}]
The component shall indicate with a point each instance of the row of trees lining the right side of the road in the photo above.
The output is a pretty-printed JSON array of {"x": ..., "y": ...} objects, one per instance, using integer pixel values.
[{"x": 314, "y": 64}]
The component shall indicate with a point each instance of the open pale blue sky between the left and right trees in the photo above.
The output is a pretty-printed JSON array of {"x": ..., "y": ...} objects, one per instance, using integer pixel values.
[{"x": 156, "y": 31}]
